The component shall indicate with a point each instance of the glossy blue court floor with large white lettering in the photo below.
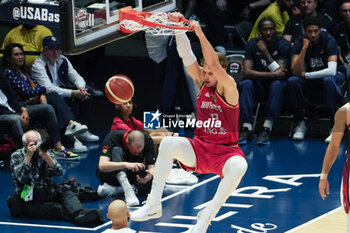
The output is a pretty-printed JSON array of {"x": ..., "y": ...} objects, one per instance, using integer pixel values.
[{"x": 279, "y": 192}]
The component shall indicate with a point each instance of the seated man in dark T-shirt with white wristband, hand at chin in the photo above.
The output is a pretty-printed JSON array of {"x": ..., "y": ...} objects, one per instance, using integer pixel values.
[{"x": 265, "y": 68}]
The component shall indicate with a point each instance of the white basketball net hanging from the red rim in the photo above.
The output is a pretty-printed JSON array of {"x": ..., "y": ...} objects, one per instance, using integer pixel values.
[{"x": 160, "y": 18}]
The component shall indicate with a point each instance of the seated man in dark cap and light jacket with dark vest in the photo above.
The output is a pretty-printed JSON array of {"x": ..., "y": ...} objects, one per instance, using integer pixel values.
[{"x": 54, "y": 71}]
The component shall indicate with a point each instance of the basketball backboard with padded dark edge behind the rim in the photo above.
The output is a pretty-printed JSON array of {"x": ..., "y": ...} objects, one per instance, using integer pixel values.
[{"x": 85, "y": 25}]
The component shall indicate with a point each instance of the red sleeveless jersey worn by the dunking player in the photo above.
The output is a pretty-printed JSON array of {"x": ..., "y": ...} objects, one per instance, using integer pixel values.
[{"x": 220, "y": 119}]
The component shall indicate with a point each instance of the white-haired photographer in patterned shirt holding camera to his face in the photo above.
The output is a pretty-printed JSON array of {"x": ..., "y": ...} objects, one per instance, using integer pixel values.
[{"x": 34, "y": 166}]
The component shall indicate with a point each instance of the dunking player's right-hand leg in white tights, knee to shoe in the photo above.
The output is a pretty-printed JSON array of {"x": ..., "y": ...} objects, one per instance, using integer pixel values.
[{"x": 233, "y": 171}]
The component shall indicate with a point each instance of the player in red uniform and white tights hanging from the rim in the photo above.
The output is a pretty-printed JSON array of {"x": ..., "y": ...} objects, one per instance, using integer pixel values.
[{"x": 215, "y": 148}]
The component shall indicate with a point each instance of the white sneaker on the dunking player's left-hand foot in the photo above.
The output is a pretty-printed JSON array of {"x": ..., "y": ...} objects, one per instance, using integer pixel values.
[{"x": 146, "y": 212}]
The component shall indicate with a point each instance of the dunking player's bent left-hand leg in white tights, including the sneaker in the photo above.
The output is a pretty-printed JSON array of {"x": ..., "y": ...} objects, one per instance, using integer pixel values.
[{"x": 170, "y": 148}]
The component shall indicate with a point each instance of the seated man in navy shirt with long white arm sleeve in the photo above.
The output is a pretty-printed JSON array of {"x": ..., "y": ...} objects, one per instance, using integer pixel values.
[{"x": 317, "y": 74}]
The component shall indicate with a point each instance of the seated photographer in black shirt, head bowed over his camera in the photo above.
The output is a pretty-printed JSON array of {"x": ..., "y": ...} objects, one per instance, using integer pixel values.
[{"x": 127, "y": 158}]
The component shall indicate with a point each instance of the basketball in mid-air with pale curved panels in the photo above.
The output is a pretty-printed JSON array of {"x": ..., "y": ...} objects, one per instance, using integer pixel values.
[{"x": 119, "y": 89}]
